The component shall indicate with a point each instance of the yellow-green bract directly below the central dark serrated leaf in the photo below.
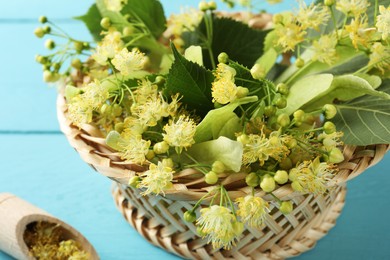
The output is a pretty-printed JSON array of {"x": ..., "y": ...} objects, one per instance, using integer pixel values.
[{"x": 214, "y": 124}]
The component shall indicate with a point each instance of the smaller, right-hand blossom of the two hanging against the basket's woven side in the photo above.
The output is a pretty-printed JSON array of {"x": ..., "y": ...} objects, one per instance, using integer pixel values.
[{"x": 252, "y": 210}]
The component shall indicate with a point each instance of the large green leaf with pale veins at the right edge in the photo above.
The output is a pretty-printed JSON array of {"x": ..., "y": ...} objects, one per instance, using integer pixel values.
[{"x": 365, "y": 120}]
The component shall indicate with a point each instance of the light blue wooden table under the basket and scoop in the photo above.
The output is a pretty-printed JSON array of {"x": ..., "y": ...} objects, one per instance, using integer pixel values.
[{"x": 37, "y": 164}]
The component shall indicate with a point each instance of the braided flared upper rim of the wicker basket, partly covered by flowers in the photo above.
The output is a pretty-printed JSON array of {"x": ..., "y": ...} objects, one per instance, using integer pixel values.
[{"x": 90, "y": 144}]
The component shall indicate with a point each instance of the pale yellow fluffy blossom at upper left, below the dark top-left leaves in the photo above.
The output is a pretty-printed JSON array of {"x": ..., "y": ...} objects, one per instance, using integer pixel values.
[{"x": 129, "y": 62}]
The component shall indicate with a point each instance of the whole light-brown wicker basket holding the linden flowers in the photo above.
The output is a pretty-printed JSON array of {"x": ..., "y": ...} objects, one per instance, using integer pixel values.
[{"x": 159, "y": 219}]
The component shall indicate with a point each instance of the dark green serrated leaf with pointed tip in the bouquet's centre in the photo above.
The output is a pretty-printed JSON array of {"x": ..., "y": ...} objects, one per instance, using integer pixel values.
[{"x": 192, "y": 81}]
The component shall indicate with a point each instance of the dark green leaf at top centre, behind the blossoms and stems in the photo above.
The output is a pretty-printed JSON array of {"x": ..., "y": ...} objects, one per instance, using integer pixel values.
[{"x": 242, "y": 43}]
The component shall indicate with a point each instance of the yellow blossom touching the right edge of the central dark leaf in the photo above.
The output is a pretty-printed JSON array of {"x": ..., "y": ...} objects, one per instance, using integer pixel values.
[{"x": 223, "y": 91}]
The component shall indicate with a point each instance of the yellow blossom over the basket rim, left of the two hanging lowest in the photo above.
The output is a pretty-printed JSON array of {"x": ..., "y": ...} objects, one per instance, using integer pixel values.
[{"x": 157, "y": 179}]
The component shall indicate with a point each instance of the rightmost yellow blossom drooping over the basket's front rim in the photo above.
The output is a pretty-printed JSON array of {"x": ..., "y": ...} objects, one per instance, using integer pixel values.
[{"x": 312, "y": 177}]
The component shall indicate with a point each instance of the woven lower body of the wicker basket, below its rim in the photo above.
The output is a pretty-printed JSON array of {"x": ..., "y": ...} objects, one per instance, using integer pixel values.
[{"x": 160, "y": 221}]
